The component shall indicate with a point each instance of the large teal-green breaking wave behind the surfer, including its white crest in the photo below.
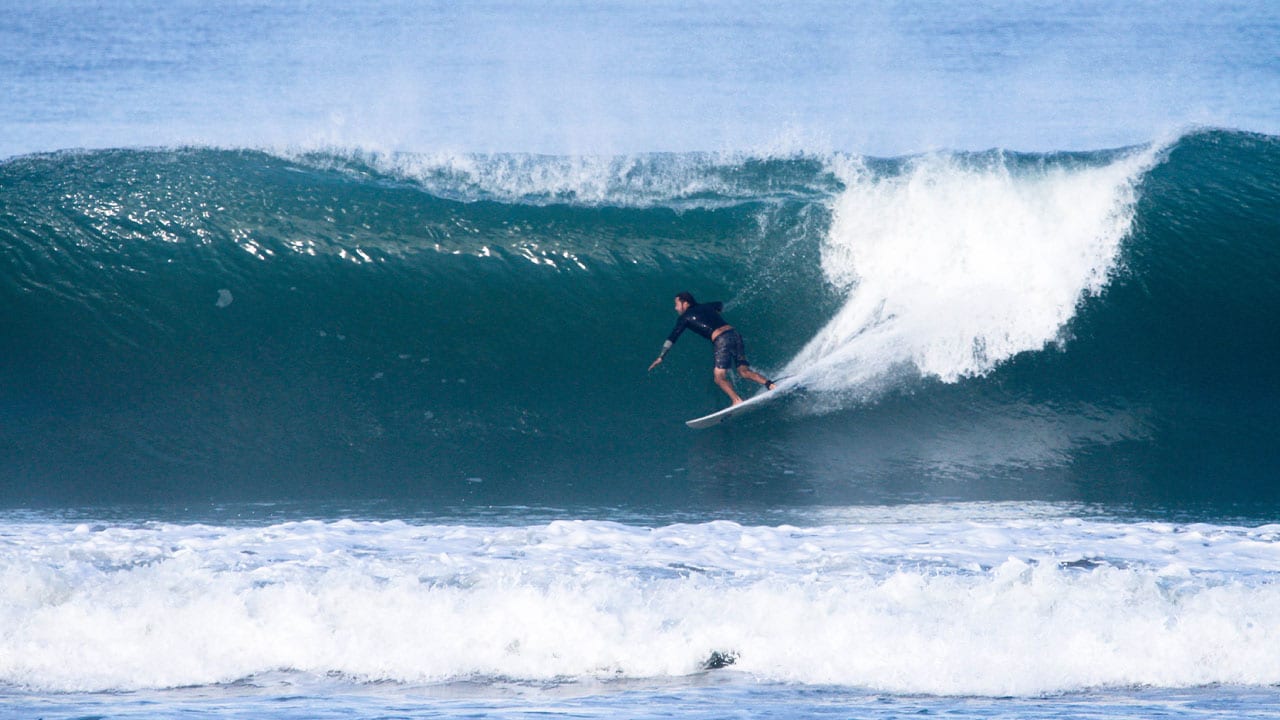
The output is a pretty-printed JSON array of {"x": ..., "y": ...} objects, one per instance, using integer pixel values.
[{"x": 474, "y": 330}]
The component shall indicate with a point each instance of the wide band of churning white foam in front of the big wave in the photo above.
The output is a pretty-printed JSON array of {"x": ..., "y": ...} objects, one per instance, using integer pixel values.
[{"x": 1009, "y": 604}]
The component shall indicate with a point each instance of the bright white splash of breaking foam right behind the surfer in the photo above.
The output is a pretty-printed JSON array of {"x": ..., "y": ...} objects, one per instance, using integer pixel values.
[{"x": 957, "y": 265}]
